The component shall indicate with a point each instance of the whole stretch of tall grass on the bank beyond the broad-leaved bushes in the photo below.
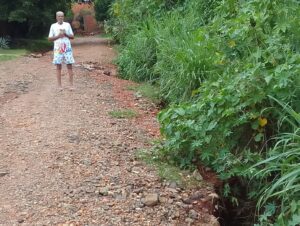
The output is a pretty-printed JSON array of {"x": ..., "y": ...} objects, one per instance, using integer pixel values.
[{"x": 170, "y": 47}]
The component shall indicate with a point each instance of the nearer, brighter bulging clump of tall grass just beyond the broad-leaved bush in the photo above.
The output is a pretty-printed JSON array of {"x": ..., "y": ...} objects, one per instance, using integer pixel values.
[{"x": 181, "y": 56}]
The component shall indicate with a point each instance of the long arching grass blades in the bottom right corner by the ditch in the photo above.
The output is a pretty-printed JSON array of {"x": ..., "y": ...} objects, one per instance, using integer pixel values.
[{"x": 282, "y": 169}]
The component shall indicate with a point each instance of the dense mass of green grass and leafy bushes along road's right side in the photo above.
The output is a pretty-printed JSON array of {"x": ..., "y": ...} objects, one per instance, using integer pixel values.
[{"x": 216, "y": 63}]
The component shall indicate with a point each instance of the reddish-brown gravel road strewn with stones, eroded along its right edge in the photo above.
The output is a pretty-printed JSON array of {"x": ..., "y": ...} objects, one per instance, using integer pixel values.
[{"x": 64, "y": 160}]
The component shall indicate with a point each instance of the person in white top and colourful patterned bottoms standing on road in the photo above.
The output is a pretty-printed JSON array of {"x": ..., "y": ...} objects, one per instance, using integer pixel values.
[{"x": 61, "y": 33}]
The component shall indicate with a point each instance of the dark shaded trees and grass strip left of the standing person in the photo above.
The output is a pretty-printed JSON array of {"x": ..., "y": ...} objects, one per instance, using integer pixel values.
[{"x": 26, "y": 19}]
